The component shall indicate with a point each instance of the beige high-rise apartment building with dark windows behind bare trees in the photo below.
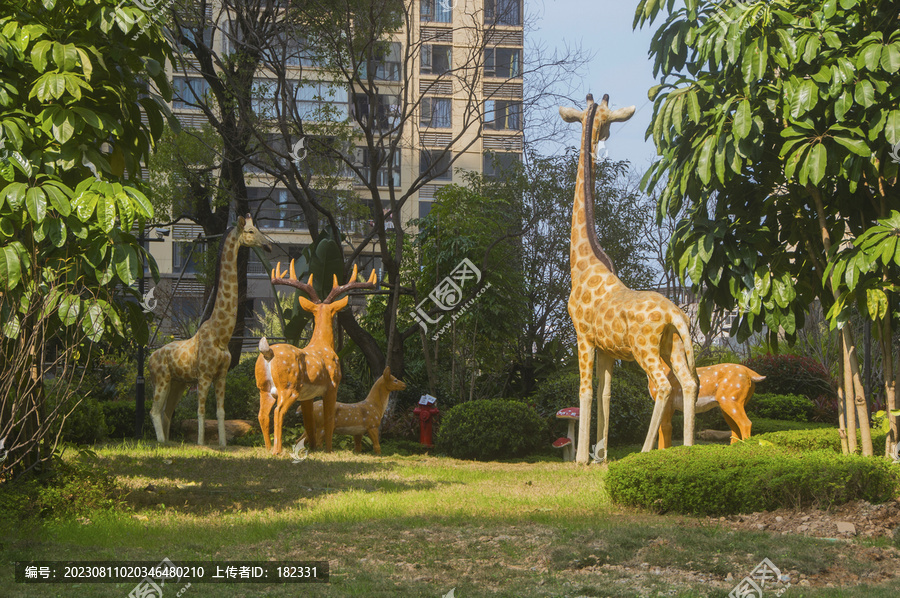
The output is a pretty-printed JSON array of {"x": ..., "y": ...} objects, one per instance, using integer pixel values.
[{"x": 463, "y": 54}]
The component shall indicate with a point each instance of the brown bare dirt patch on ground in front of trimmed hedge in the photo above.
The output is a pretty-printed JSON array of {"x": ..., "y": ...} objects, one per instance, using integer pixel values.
[{"x": 854, "y": 519}]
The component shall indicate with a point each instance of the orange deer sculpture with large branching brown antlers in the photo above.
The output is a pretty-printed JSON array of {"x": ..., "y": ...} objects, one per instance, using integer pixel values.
[{"x": 286, "y": 374}]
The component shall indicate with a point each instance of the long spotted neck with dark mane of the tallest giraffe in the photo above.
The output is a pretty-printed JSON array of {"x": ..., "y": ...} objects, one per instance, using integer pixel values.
[{"x": 584, "y": 234}]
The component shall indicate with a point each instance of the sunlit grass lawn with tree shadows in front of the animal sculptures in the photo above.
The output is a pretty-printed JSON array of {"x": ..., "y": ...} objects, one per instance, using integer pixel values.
[{"x": 418, "y": 525}]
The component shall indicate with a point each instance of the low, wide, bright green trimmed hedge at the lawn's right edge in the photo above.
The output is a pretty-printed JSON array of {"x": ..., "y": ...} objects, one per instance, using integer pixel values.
[{"x": 746, "y": 478}]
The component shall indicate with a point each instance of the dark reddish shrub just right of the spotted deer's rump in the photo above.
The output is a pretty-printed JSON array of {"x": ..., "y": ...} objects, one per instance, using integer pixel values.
[{"x": 792, "y": 374}]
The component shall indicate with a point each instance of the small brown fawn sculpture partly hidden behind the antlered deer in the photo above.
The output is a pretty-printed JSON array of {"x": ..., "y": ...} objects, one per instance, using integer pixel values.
[{"x": 364, "y": 417}]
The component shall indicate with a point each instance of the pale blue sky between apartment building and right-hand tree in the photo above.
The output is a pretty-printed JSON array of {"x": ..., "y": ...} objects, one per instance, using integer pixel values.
[{"x": 620, "y": 66}]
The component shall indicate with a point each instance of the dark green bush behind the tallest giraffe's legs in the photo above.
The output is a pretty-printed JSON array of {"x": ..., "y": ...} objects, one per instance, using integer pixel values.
[{"x": 630, "y": 408}]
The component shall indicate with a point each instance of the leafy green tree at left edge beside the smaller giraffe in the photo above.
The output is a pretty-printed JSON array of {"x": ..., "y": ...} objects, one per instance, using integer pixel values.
[{"x": 75, "y": 83}]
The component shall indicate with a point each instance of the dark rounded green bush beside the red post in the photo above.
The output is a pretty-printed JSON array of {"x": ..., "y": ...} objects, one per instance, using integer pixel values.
[{"x": 490, "y": 429}]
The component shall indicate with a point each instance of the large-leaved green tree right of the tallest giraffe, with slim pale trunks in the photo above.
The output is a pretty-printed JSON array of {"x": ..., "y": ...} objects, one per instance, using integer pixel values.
[{"x": 774, "y": 121}]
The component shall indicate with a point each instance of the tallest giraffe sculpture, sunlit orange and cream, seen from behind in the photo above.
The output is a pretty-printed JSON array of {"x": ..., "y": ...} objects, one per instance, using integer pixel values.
[{"x": 611, "y": 319}]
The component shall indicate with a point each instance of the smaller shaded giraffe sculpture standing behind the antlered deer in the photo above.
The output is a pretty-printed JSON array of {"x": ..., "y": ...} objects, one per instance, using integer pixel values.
[{"x": 204, "y": 358}]
